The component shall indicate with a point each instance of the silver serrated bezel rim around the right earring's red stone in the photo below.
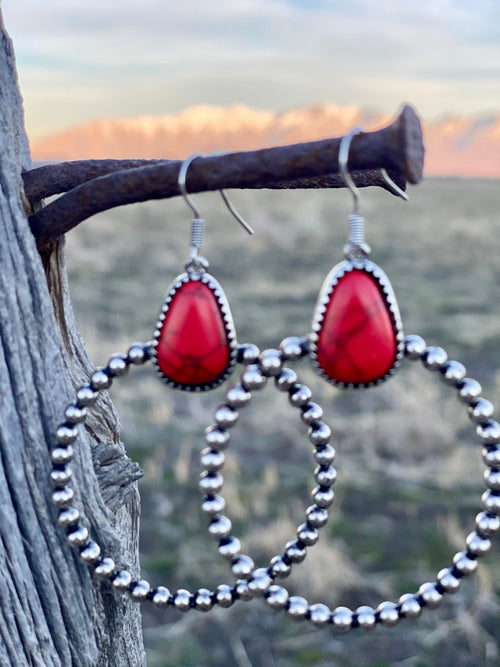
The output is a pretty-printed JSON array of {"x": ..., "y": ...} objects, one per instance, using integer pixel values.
[{"x": 325, "y": 295}]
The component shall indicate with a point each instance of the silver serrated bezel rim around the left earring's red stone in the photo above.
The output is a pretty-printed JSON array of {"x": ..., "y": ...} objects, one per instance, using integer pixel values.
[{"x": 227, "y": 318}]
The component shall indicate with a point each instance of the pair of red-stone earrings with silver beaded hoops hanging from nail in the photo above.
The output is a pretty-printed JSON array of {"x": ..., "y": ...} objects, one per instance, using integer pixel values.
[{"x": 356, "y": 341}]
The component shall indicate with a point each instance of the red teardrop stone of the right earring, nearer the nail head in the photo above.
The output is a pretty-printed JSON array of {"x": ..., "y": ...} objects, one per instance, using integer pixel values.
[{"x": 356, "y": 343}]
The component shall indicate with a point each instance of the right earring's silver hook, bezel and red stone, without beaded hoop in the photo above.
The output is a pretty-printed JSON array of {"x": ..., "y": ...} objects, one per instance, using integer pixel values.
[{"x": 357, "y": 337}]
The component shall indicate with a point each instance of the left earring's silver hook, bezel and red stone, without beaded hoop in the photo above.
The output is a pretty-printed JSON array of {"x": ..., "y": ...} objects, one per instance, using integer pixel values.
[{"x": 194, "y": 346}]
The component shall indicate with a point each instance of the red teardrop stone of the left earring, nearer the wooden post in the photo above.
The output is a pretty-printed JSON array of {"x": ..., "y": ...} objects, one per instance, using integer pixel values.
[{"x": 193, "y": 345}]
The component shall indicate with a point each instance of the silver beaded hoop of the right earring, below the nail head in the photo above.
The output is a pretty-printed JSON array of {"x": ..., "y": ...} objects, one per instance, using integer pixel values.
[{"x": 478, "y": 543}]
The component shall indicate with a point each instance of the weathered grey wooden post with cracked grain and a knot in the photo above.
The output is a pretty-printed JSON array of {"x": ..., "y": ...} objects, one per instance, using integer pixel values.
[{"x": 53, "y": 612}]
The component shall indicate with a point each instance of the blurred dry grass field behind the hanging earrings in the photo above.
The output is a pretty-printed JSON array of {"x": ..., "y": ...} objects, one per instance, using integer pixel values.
[{"x": 409, "y": 465}]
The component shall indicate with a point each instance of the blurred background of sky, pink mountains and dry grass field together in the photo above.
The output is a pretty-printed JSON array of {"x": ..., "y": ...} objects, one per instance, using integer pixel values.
[{"x": 166, "y": 79}]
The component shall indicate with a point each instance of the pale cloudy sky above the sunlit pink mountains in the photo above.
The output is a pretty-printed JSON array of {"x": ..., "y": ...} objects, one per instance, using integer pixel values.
[{"x": 79, "y": 60}]
